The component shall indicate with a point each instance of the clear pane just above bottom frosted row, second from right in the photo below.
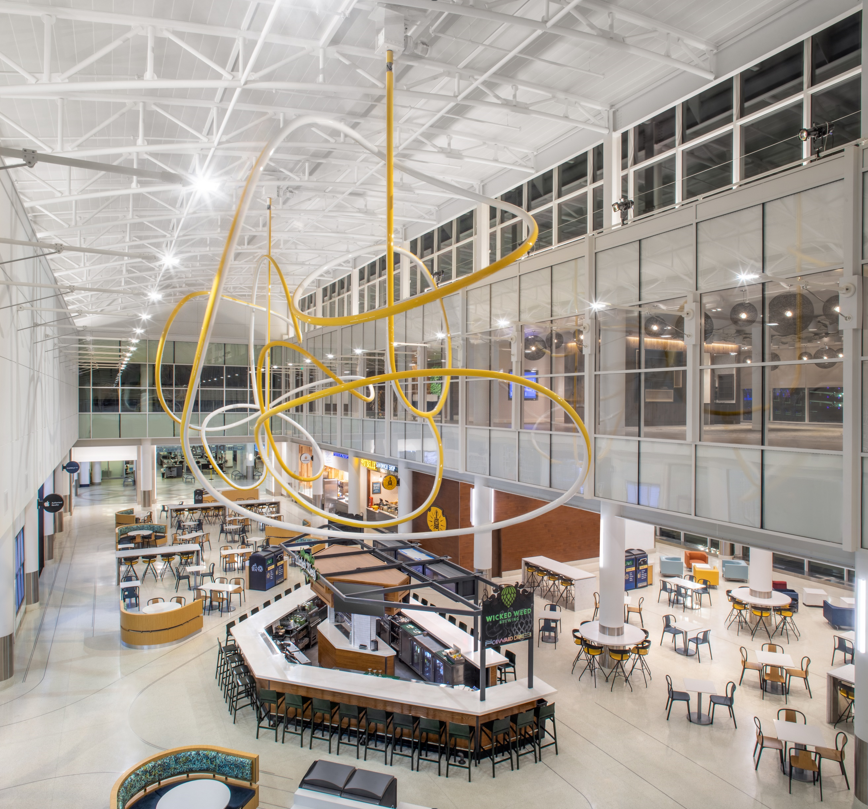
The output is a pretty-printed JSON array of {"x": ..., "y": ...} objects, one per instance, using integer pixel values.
[{"x": 730, "y": 415}]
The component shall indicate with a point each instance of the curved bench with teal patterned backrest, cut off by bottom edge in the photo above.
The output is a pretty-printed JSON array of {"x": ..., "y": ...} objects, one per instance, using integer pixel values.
[{"x": 238, "y": 770}]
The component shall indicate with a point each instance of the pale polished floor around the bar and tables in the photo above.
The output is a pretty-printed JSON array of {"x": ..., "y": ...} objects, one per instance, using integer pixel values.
[{"x": 81, "y": 708}]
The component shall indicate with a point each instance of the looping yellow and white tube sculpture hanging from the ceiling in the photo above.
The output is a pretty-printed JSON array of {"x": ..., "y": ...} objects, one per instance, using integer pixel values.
[{"x": 265, "y": 409}]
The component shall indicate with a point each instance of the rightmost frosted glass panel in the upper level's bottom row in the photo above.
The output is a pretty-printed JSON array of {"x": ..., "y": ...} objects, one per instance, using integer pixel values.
[{"x": 793, "y": 484}]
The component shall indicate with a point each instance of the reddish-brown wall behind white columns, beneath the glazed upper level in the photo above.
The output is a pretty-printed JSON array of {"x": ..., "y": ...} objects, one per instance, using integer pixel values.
[{"x": 566, "y": 534}]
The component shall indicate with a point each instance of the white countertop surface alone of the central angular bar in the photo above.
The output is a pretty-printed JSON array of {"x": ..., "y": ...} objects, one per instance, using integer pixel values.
[{"x": 267, "y": 665}]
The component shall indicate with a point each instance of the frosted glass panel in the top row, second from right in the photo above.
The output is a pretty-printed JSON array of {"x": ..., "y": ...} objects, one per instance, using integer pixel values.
[{"x": 729, "y": 248}]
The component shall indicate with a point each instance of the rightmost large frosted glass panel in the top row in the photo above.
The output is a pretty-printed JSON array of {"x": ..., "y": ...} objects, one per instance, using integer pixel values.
[{"x": 805, "y": 232}]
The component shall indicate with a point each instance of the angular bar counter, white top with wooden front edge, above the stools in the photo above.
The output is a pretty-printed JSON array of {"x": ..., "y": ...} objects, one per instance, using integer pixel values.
[{"x": 273, "y": 672}]
